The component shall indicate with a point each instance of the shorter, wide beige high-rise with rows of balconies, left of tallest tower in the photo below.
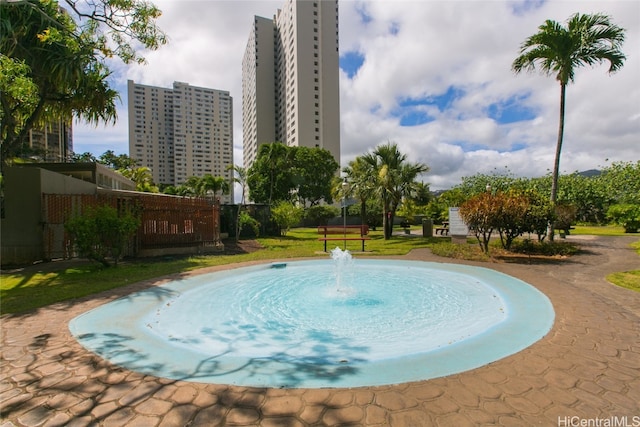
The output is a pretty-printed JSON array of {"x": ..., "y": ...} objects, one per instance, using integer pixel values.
[{"x": 181, "y": 132}]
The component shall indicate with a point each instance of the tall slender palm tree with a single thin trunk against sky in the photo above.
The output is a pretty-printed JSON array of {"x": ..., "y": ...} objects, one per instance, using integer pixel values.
[{"x": 586, "y": 40}]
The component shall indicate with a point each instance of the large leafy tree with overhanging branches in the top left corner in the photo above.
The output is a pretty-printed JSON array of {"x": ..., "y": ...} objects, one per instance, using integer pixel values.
[{"x": 57, "y": 67}]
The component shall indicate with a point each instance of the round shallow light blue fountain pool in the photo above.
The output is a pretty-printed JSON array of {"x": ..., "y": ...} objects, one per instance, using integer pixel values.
[{"x": 297, "y": 325}]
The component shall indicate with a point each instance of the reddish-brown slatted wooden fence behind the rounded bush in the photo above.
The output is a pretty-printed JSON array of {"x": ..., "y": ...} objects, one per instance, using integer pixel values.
[{"x": 167, "y": 223}]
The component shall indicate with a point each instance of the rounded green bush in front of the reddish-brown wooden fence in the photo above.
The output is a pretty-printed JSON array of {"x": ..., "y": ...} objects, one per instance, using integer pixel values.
[{"x": 101, "y": 233}]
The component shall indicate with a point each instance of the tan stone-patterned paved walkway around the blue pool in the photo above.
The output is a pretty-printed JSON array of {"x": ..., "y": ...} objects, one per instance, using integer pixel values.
[{"x": 586, "y": 368}]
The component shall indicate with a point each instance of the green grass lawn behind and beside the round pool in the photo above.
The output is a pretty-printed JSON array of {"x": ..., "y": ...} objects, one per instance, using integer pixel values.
[{"x": 31, "y": 288}]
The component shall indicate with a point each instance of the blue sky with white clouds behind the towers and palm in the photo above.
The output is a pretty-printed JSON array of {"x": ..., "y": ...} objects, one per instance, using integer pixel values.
[{"x": 432, "y": 76}]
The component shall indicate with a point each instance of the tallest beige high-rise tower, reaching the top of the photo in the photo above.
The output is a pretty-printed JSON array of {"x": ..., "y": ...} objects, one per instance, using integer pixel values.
[{"x": 290, "y": 79}]
